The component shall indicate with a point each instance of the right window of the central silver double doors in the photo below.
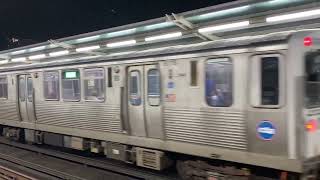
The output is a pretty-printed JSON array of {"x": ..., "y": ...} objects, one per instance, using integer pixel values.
[{"x": 154, "y": 87}]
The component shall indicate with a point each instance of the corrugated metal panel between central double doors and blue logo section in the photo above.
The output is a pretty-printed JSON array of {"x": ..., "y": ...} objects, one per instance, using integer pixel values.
[{"x": 225, "y": 129}]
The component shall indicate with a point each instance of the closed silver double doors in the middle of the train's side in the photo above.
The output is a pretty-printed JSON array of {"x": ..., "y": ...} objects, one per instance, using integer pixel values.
[{"x": 144, "y": 101}]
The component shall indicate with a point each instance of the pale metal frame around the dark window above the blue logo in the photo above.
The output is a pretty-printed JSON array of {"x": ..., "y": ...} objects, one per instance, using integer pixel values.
[{"x": 255, "y": 81}]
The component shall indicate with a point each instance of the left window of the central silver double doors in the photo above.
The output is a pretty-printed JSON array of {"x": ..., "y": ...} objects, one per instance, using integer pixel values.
[{"x": 134, "y": 88}]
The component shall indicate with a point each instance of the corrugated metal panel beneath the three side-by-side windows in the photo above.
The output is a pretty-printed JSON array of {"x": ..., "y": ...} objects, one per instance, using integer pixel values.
[{"x": 89, "y": 116}]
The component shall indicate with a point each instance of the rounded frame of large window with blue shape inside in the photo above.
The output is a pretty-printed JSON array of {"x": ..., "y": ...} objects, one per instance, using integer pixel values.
[{"x": 232, "y": 81}]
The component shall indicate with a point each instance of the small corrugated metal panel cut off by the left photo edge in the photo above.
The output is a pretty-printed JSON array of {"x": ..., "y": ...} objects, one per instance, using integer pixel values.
[{"x": 8, "y": 111}]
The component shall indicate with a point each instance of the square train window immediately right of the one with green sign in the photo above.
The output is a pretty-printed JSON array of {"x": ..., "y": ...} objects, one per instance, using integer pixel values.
[{"x": 94, "y": 83}]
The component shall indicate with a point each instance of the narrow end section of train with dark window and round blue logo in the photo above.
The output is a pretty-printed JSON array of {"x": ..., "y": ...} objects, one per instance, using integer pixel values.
[{"x": 267, "y": 114}]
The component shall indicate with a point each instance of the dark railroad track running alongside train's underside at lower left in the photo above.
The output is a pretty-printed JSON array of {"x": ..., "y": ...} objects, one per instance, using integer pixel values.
[{"x": 53, "y": 164}]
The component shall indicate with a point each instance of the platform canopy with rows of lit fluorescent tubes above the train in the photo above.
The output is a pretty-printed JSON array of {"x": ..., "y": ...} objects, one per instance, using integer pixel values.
[{"x": 236, "y": 23}]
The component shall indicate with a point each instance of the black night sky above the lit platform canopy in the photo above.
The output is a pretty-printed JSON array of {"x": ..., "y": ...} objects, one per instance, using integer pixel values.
[{"x": 40, "y": 20}]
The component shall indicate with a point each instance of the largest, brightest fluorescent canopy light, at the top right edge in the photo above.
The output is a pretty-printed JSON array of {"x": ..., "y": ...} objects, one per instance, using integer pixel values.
[{"x": 293, "y": 16}]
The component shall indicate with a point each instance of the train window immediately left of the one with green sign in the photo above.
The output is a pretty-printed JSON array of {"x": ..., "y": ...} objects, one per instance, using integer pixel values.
[{"x": 51, "y": 85}]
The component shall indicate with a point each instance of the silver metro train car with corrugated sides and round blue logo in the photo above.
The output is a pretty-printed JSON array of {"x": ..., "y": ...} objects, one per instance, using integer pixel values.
[{"x": 251, "y": 99}]
